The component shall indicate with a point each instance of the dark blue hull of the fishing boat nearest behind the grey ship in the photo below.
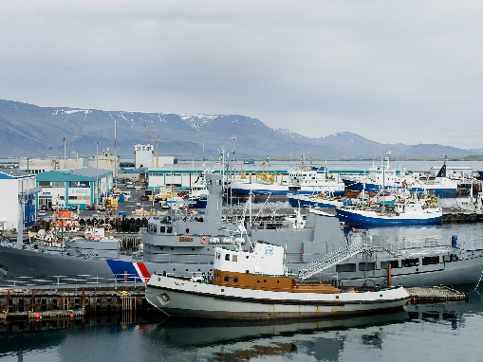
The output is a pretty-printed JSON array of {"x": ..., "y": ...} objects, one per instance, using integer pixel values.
[{"x": 359, "y": 219}]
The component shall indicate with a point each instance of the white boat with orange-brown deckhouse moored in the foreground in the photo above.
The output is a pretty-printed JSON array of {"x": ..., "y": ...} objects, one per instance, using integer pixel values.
[{"x": 253, "y": 285}]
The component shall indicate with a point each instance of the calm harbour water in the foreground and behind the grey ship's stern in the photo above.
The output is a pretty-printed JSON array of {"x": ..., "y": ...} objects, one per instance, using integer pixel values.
[{"x": 444, "y": 332}]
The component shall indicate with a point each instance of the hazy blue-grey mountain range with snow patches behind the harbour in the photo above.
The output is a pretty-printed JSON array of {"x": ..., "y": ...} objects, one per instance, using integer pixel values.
[{"x": 30, "y": 130}]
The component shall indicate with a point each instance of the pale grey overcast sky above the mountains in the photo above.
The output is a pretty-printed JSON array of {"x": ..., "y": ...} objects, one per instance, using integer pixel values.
[{"x": 393, "y": 71}]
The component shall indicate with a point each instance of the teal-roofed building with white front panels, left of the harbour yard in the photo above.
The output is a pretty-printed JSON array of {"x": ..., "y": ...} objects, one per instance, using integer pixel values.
[{"x": 81, "y": 188}]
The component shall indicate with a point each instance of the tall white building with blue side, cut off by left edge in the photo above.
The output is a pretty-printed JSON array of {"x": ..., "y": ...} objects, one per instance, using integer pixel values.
[{"x": 17, "y": 192}]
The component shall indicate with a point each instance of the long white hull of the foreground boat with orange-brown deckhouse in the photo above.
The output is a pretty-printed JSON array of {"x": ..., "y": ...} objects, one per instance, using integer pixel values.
[{"x": 182, "y": 298}]
